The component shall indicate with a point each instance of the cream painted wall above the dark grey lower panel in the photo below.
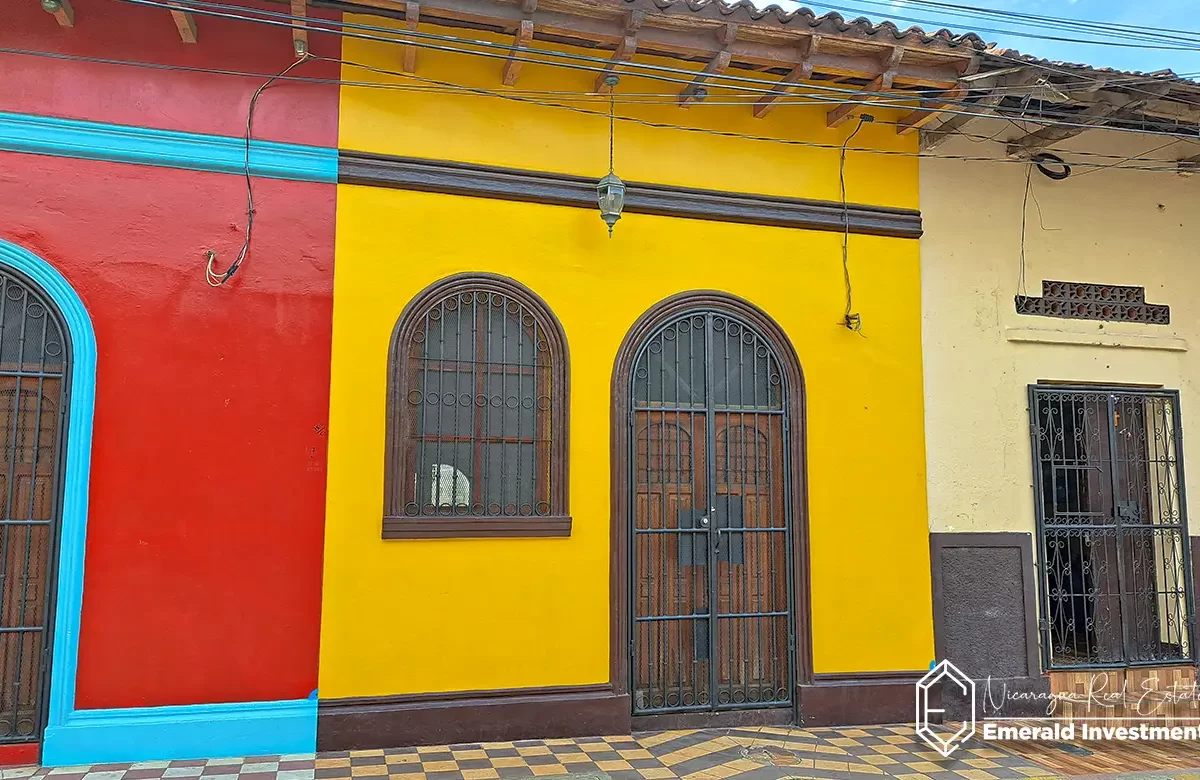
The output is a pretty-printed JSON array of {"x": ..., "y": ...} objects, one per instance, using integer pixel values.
[{"x": 1118, "y": 227}]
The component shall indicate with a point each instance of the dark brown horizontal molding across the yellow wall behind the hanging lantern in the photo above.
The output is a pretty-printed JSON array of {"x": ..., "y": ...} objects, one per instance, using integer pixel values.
[{"x": 566, "y": 190}]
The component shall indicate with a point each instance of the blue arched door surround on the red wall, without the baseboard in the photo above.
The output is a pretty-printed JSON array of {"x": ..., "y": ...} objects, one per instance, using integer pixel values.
[{"x": 77, "y": 466}]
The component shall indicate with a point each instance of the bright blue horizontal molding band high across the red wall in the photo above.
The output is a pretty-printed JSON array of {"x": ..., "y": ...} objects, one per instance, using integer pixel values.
[{"x": 166, "y": 148}]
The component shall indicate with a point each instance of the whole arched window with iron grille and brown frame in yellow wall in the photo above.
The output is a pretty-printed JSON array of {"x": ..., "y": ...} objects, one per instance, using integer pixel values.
[{"x": 477, "y": 415}]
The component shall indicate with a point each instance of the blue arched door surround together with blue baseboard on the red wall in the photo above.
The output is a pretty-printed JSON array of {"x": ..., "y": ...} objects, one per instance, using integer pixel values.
[{"x": 92, "y": 736}]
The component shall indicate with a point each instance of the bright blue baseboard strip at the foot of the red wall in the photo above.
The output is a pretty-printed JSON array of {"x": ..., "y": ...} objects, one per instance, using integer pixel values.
[{"x": 193, "y": 731}]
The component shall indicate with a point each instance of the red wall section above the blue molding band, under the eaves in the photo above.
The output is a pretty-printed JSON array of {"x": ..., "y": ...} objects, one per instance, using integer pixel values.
[{"x": 303, "y": 113}]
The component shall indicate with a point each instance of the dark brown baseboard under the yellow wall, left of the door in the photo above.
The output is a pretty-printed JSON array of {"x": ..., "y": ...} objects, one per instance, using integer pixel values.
[{"x": 471, "y": 717}]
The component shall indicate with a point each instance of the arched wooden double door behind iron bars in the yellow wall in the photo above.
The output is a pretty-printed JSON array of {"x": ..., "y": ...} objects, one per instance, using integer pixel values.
[{"x": 711, "y": 551}]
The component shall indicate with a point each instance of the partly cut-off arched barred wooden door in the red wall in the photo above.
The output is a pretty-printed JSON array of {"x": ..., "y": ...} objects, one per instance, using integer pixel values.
[{"x": 34, "y": 365}]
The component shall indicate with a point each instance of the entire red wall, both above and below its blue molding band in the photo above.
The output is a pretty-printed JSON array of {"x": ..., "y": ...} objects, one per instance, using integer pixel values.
[{"x": 208, "y": 472}]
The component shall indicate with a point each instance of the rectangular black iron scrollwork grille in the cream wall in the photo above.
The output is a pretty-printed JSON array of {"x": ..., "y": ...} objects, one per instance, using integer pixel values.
[{"x": 1114, "y": 554}]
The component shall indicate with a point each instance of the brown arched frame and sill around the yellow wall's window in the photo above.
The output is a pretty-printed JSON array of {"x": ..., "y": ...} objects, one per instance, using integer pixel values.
[{"x": 399, "y": 446}]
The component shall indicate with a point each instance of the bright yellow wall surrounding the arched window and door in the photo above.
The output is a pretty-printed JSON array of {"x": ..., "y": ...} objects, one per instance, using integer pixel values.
[{"x": 463, "y": 615}]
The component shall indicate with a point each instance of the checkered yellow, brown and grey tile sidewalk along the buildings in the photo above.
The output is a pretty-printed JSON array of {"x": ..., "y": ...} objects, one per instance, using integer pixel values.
[{"x": 754, "y": 754}]
